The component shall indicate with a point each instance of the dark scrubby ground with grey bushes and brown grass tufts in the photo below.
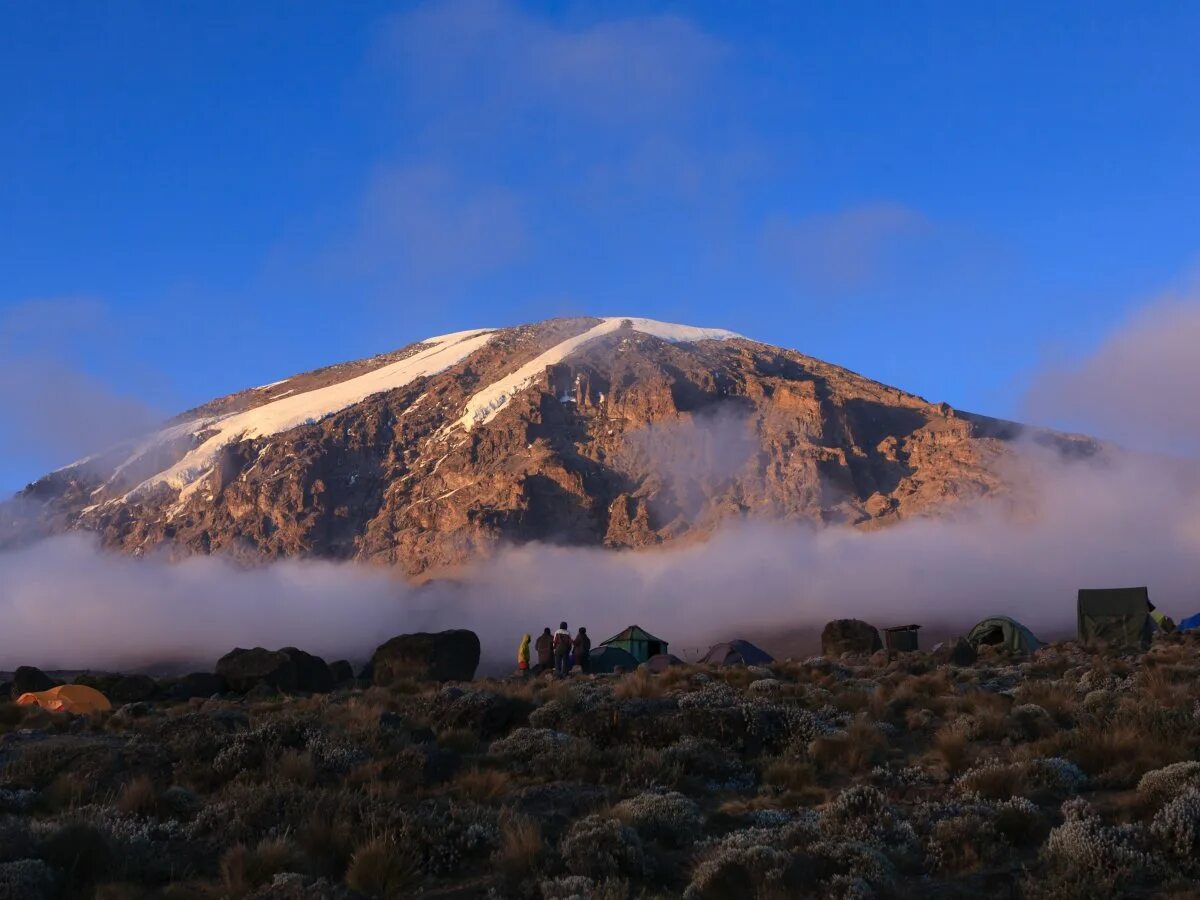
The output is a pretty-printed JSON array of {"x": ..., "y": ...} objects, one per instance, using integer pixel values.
[{"x": 1073, "y": 773}]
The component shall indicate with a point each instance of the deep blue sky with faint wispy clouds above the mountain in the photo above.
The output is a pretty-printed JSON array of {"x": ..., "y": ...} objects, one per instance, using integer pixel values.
[{"x": 950, "y": 197}]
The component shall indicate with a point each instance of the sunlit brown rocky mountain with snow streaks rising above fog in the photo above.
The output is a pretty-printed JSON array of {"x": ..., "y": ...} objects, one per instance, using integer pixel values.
[{"x": 599, "y": 433}]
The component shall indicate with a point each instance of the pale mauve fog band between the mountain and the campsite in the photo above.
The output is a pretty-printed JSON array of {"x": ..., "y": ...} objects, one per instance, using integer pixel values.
[{"x": 1135, "y": 521}]
